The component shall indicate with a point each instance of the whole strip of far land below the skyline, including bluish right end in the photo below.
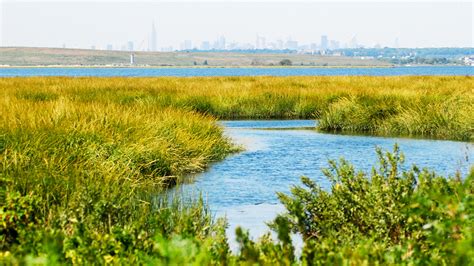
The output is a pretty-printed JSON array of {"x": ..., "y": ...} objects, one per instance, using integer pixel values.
[{"x": 11, "y": 57}]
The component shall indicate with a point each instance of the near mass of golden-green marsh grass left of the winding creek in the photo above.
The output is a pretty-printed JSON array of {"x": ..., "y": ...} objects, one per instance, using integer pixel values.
[{"x": 82, "y": 176}]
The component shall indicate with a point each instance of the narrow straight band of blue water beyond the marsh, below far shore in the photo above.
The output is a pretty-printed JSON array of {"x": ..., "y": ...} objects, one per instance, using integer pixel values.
[{"x": 198, "y": 72}]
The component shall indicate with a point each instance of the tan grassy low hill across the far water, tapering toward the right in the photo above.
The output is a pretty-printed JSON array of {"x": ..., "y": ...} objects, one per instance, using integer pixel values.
[{"x": 56, "y": 57}]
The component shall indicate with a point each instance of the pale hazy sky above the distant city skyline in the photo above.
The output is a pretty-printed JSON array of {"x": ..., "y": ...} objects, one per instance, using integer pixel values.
[{"x": 85, "y": 23}]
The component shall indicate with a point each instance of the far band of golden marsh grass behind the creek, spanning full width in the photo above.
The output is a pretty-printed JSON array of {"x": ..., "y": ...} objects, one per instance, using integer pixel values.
[{"x": 433, "y": 107}]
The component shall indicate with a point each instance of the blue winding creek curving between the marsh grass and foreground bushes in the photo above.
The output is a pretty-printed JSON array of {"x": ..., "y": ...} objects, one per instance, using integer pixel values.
[{"x": 243, "y": 186}]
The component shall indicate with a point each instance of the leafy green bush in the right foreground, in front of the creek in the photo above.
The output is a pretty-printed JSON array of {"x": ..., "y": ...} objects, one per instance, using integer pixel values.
[{"x": 390, "y": 216}]
